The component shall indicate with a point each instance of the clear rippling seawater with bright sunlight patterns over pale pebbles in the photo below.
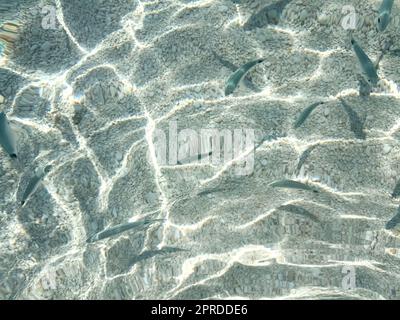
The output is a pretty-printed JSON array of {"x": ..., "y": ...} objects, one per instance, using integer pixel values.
[{"x": 102, "y": 91}]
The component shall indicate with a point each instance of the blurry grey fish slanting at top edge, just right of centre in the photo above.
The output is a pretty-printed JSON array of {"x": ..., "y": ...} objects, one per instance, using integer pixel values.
[{"x": 270, "y": 14}]
